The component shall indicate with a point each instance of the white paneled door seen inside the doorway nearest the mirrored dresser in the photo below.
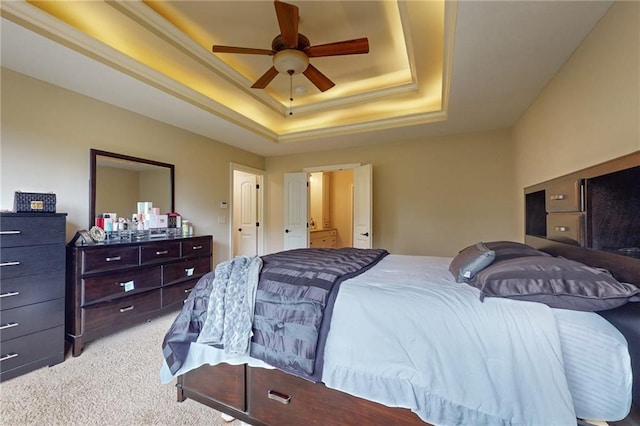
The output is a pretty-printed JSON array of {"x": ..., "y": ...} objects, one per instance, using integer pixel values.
[{"x": 245, "y": 214}]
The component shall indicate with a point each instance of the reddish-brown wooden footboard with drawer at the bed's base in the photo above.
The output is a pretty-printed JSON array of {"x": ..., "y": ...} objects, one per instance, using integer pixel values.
[{"x": 270, "y": 397}]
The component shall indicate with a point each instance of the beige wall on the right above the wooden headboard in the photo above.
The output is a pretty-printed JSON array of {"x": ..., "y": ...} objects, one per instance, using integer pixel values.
[{"x": 590, "y": 112}]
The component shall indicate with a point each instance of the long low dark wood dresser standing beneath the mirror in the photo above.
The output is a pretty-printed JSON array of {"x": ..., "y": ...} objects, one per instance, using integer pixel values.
[{"x": 113, "y": 286}]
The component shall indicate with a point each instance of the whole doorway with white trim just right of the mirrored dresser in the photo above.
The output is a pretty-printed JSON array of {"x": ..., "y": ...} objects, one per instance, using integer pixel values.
[{"x": 247, "y": 211}]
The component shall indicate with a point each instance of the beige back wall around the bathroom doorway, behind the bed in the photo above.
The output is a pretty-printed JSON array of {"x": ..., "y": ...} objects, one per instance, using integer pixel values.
[{"x": 430, "y": 197}]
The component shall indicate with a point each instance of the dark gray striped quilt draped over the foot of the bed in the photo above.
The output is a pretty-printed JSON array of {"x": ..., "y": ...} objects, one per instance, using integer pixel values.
[{"x": 293, "y": 307}]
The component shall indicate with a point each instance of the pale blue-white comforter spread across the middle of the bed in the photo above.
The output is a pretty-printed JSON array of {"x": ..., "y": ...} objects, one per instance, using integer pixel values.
[{"x": 444, "y": 354}]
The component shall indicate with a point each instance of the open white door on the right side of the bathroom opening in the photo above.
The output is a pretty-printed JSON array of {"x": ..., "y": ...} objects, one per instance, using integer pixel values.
[{"x": 362, "y": 207}]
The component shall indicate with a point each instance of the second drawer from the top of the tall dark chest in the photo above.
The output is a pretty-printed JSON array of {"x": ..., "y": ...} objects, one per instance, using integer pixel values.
[{"x": 34, "y": 260}]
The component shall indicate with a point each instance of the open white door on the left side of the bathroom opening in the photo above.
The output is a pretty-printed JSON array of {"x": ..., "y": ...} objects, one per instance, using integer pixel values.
[{"x": 296, "y": 210}]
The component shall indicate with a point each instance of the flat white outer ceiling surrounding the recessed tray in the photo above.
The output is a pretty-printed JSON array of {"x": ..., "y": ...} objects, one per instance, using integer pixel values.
[{"x": 504, "y": 53}]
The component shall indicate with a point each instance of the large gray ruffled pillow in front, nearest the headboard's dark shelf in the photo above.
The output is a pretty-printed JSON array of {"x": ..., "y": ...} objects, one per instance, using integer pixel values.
[{"x": 554, "y": 281}]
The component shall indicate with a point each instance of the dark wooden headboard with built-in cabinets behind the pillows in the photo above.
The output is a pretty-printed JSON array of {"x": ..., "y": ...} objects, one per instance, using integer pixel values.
[{"x": 593, "y": 216}]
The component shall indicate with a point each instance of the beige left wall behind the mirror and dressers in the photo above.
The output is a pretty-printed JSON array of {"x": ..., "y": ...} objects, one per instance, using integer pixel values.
[{"x": 47, "y": 133}]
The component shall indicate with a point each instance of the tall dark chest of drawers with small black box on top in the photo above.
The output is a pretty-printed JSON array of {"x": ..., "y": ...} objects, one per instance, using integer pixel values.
[{"x": 32, "y": 276}]
